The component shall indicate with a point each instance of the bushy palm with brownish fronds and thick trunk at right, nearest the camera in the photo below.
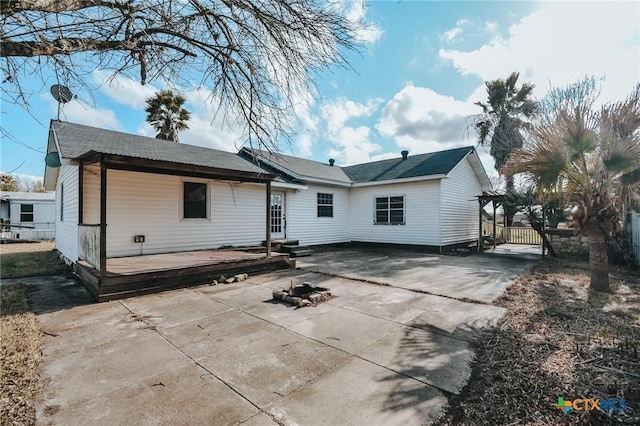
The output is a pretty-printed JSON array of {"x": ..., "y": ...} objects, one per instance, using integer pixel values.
[{"x": 591, "y": 157}]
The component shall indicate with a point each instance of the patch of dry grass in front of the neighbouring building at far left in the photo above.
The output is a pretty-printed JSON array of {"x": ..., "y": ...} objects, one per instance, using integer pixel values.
[{"x": 29, "y": 259}]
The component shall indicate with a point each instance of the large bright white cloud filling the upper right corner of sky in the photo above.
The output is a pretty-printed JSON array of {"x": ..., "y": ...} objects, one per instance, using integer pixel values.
[{"x": 561, "y": 43}]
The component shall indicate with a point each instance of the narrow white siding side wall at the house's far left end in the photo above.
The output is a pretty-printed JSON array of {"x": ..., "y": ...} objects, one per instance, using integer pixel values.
[{"x": 67, "y": 229}]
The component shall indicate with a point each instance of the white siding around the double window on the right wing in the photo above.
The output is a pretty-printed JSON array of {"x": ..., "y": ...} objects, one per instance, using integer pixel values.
[{"x": 422, "y": 215}]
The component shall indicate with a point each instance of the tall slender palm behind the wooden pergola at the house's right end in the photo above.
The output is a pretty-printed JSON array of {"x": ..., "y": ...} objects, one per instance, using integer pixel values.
[{"x": 503, "y": 117}]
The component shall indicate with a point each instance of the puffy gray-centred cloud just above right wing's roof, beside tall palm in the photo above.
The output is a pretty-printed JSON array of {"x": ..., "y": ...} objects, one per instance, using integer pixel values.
[{"x": 422, "y": 120}]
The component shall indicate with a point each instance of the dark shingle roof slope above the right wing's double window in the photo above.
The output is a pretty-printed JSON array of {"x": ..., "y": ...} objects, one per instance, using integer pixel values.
[{"x": 435, "y": 163}]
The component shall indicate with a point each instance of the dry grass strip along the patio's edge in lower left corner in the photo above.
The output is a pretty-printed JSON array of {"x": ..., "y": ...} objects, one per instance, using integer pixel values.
[{"x": 19, "y": 357}]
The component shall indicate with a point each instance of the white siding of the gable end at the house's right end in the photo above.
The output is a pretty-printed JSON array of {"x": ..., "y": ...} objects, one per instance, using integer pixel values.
[{"x": 459, "y": 206}]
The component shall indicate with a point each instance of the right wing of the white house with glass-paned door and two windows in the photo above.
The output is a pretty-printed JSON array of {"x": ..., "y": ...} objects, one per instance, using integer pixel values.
[{"x": 427, "y": 199}]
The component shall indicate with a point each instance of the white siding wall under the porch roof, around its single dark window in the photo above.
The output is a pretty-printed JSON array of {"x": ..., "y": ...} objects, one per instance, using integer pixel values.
[{"x": 150, "y": 205}]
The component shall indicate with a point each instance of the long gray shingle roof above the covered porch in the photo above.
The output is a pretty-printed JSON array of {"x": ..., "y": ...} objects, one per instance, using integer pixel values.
[{"x": 76, "y": 140}]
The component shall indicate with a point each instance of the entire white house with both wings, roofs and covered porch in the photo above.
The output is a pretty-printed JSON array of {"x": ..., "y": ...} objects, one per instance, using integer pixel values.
[{"x": 124, "y": 196}]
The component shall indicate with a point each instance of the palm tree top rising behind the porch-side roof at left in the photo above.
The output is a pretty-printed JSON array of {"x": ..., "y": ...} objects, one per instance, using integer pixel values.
[{"x": 166, "y": 115}]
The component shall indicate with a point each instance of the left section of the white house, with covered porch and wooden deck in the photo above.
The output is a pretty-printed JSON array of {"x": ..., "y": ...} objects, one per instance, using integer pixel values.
[{"x": 122, "y": 195}]
